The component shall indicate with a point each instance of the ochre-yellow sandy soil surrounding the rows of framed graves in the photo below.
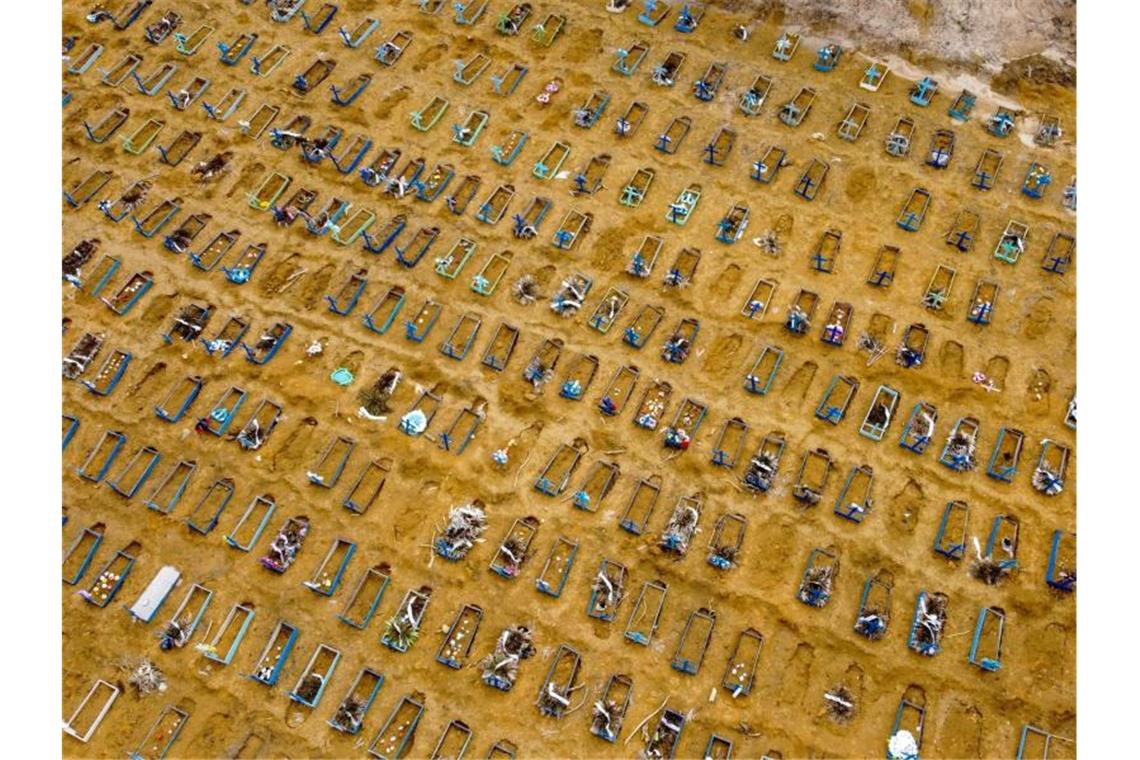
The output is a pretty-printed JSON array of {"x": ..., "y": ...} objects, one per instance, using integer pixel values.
[{"x": 1029, "y": 352}]
